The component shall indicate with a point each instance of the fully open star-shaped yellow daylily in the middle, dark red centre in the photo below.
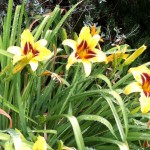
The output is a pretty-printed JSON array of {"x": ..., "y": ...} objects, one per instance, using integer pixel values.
[{"x": 84, "y": 50}]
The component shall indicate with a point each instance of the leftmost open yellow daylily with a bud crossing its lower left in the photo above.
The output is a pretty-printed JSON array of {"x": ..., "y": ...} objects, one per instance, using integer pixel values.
[{"x": 30, "y": 52}]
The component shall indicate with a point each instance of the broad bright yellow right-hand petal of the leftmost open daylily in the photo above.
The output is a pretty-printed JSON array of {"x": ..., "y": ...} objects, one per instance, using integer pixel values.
[{"x": 43, "y": 54}]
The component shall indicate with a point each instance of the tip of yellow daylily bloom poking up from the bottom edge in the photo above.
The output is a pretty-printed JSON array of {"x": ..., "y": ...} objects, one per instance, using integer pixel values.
[{"x": 40, "y": 144}]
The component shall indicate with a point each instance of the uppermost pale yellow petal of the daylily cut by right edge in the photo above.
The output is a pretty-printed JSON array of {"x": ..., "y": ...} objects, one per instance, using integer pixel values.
[{"x": 137, "y": 71}]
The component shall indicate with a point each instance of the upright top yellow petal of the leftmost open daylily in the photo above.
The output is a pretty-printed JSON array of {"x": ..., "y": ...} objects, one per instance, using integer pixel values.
[{"x": 26, "y": 36}]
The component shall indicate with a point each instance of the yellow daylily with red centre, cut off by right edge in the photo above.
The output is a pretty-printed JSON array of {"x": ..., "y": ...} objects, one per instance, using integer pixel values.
[{"x": 142, "y": 85}]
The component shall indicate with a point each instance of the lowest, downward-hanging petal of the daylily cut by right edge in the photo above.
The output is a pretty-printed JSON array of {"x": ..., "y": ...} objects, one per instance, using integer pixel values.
[{"x": 145, "y": 103}]
